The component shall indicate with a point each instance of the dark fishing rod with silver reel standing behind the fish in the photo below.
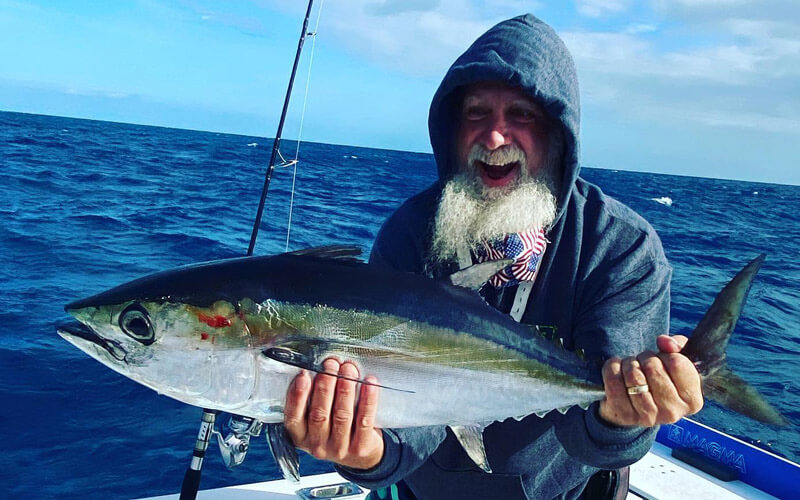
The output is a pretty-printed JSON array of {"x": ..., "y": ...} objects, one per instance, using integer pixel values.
[{"x": 240, "y": 436}]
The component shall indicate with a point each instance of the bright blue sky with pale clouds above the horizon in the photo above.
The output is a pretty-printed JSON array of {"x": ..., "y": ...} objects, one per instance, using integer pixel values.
[{"x": 706, "y": 88}]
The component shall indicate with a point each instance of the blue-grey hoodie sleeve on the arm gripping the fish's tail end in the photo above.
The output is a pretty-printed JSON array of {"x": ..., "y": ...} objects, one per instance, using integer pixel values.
[{"x": 623, "y": 317}]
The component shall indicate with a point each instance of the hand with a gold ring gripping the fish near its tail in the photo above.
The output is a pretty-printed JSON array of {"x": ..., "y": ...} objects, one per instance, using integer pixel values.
[{"x": 665, "y": 386}]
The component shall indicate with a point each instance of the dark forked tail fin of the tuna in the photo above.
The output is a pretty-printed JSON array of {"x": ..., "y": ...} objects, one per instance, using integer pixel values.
[{"x": 707, "y": 344}]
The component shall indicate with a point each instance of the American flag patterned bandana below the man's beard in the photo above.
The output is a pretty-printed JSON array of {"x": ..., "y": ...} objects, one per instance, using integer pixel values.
[{"x": 526, "y": 248}]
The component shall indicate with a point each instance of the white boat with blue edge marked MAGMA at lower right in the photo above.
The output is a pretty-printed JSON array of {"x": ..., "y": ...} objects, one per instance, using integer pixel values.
[{"x": 688, "y": 460}]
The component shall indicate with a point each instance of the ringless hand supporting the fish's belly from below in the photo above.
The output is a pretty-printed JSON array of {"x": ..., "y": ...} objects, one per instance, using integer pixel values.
[{"x": 324, "y": 424}]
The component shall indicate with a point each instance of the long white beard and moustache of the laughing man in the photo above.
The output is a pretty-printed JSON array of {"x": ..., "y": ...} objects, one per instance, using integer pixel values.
[{"x": 470, "y": 212}]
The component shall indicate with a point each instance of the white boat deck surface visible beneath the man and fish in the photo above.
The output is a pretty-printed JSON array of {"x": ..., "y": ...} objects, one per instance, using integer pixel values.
[{"x": 657, "y": 476}]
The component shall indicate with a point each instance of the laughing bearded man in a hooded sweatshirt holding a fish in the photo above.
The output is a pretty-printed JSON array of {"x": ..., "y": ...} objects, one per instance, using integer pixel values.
[{"x": 504, "y": 130}]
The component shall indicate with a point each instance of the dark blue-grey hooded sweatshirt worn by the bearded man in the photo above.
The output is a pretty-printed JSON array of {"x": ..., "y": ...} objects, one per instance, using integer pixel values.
[{"x": 603, "y": 284}]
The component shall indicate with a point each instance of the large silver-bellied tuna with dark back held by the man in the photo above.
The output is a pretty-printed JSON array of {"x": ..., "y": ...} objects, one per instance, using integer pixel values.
[{"x": 232, "y": 334}]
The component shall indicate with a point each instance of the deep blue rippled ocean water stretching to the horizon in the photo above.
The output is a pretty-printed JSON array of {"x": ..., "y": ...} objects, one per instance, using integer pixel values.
[{"x": 85, "y": 205}]
